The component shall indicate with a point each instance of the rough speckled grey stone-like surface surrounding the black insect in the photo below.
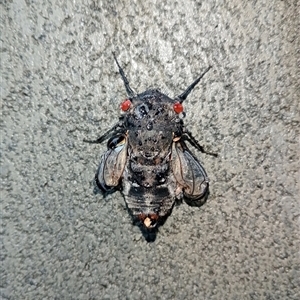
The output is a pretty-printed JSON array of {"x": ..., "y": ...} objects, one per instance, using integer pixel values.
[{"x": 59, "y": 84}]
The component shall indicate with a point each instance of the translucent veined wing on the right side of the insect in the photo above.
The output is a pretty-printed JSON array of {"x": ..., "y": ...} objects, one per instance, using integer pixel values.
[{"x": 189, "y": 174}]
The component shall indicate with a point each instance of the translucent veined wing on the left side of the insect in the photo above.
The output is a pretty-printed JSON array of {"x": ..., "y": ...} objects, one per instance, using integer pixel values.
[{"x": 112, "y": 164}]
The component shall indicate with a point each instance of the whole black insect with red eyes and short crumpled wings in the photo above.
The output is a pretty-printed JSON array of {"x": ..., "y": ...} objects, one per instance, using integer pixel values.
[{"x": 147, "y": 156}]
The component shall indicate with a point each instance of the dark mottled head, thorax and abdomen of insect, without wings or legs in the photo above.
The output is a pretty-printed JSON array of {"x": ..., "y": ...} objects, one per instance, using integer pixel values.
[{"x": 148, "y": 183}]
